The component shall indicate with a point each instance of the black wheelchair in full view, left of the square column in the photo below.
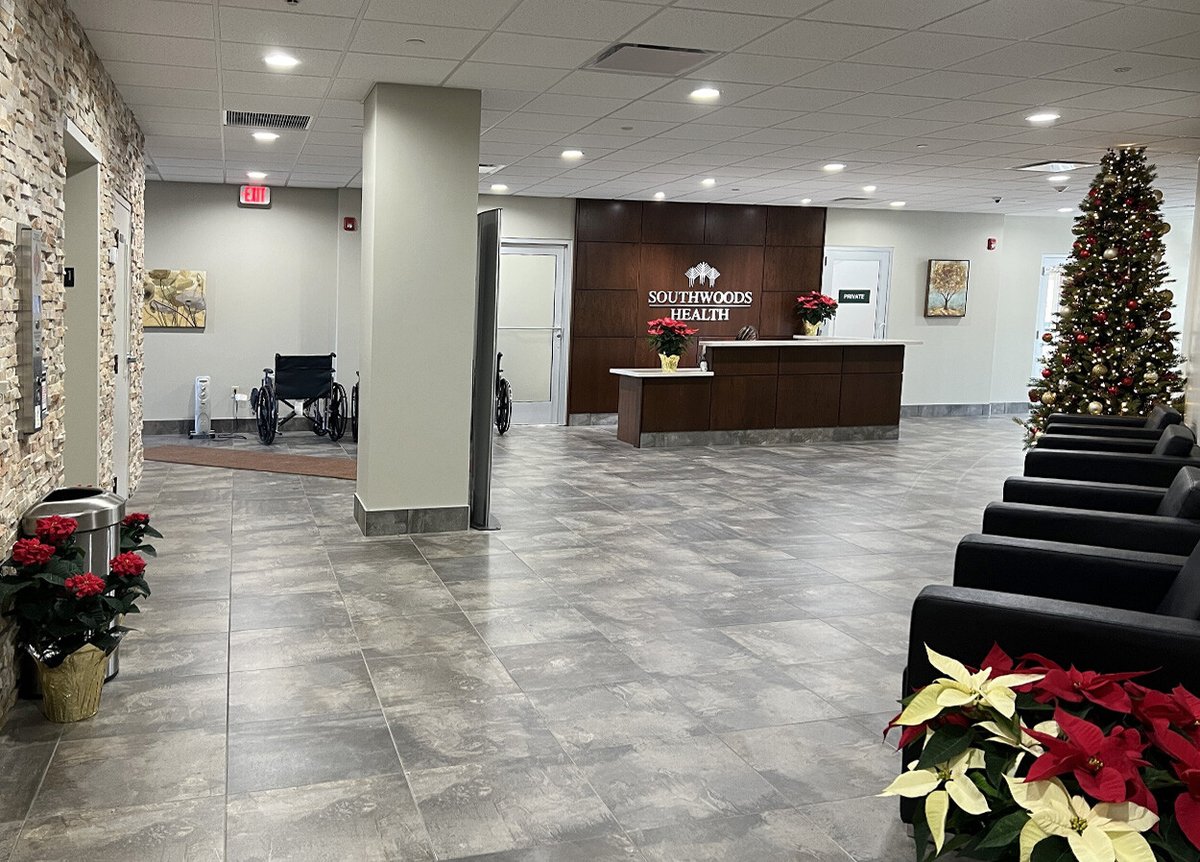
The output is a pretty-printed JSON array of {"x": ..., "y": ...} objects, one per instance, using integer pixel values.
[{"x": 309, "y": 380}]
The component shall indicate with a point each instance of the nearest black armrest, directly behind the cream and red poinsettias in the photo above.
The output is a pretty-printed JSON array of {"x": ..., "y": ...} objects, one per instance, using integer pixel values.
[{"x": 964, "y": 624}]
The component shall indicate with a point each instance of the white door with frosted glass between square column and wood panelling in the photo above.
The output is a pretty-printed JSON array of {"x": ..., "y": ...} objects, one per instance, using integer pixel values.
[{"x": 530, "y": 321}]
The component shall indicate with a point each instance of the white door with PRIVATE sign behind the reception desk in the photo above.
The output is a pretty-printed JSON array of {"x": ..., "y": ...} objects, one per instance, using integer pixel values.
[{"x": 859, "y": 279}]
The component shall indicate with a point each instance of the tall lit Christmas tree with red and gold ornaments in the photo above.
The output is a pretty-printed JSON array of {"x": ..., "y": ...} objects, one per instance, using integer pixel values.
[{"x": 1114, "y": 348}]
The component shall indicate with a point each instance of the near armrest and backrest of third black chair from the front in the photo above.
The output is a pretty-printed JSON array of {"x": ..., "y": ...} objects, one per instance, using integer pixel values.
[{"x": 1175, "y": 448}]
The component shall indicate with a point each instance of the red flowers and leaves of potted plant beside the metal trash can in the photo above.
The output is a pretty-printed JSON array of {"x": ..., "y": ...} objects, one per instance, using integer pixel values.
[{"x": 58, "y": 606}]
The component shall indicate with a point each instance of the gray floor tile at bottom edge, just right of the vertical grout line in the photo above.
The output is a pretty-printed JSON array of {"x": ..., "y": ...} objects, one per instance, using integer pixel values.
[{"x": 362, "y": 819}]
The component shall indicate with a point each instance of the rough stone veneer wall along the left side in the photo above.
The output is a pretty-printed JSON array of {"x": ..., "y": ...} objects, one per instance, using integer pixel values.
[{"x": 49, "y": 74}]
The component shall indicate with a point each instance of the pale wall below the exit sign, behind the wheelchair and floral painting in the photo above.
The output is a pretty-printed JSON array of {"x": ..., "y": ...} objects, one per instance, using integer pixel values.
[{"x": 272, "y": 288}]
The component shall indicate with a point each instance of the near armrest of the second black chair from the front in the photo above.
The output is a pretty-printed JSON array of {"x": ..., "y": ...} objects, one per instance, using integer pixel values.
[{"x": 1154, "y": 534}]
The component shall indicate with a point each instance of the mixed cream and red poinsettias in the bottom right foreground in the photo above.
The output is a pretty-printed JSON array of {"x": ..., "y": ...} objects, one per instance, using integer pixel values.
[{"x": 1030, "y": 762}]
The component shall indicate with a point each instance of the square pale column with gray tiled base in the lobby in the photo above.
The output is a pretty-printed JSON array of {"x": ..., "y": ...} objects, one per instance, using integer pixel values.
[{"x": 421, "y": 187}]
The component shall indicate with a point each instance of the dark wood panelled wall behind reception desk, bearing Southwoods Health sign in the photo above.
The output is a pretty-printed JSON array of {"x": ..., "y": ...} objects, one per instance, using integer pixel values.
[{"x": 634, "y": 248}]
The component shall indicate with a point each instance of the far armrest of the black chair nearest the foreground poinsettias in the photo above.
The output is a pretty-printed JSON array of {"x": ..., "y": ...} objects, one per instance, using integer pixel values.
[{"x": 1107, "y": 577}]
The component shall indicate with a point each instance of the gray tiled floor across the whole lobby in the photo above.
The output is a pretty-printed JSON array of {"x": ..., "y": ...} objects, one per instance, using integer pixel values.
[{"x": 665, "y": 655}]
